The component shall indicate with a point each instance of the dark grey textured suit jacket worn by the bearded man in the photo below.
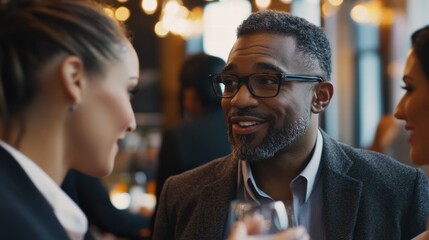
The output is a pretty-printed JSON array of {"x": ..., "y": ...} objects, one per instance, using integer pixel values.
[{"x": 366, "y": 195}]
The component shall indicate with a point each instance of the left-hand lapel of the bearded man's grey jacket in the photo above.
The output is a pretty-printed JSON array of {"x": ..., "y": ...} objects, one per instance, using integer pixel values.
[{"x": 216, "y": 198}]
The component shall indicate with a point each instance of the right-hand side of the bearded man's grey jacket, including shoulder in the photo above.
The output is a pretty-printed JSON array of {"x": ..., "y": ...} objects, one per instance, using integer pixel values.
[{"x": 367, "y": 195}]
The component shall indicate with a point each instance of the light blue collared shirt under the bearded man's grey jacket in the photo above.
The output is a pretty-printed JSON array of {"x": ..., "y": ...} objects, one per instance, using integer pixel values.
[{"x": 306, "y": 189}]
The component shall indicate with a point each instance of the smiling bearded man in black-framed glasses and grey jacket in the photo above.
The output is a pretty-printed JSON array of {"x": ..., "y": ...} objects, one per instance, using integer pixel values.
[{"x": 274, "y": 87}]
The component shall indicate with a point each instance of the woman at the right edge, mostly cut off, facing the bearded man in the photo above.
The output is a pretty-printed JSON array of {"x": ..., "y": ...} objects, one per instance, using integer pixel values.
[{"x": 413, "y": 107}]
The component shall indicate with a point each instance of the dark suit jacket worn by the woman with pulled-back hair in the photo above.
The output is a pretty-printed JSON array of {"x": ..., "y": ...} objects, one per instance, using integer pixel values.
[{"x": 24, "y": 211}]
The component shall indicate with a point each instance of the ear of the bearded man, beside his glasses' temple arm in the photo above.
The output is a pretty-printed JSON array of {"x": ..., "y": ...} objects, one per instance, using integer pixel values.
[{"x": 322, "y": 96}]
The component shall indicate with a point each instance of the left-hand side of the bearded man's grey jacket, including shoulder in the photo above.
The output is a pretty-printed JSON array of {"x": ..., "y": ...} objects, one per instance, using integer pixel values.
[{"x": 194, "y": 204}]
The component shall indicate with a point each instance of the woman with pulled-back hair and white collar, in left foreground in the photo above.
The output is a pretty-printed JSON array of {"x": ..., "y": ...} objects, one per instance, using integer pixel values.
[{"x": 67, "y": 71}]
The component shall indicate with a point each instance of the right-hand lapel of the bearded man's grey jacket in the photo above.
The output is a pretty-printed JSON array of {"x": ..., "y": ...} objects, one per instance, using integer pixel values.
[{"x": 341, "y": 193}]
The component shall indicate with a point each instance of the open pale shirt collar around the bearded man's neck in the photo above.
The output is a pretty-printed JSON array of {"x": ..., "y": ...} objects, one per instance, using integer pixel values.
[{"x": 309, "y": 172}]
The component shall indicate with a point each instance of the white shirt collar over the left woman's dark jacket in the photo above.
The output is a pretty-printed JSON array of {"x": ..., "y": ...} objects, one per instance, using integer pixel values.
[{"x": 68, "y": 213}]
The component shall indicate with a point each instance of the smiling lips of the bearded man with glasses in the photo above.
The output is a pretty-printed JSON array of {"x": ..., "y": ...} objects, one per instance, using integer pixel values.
[{"x": 242, "y": 125}]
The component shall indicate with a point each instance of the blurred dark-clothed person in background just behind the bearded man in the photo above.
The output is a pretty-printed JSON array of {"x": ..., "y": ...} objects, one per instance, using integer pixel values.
[{"x": 201, "y": 137}]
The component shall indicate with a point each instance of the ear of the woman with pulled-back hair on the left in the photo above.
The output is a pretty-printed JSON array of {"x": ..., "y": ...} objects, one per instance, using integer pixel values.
[{"x": 72, "y": 76}]
